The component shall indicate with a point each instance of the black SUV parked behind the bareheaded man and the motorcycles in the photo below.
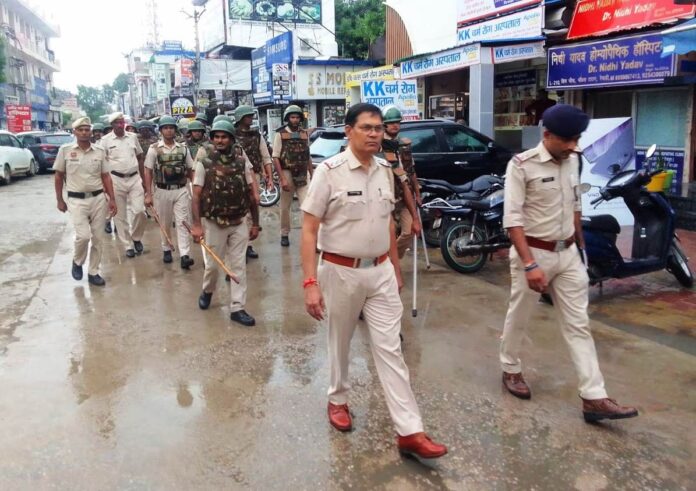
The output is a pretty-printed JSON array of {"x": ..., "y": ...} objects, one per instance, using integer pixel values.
[{"x": 442, "y": 150}]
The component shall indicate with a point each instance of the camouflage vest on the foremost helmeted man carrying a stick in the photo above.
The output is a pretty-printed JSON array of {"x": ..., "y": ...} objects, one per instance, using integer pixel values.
[{"x": 225, "y": 195}]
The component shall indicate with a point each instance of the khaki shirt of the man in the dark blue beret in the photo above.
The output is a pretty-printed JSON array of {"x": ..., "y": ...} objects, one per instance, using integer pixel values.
[{"x": 541, "y": 195}]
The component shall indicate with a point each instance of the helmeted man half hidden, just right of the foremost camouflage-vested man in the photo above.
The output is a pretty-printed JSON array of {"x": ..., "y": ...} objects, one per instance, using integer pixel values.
[{"x": 256, "y": 149}]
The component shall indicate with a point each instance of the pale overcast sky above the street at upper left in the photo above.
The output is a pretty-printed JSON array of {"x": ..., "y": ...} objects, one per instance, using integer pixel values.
[{"x": 96, "y": 34}]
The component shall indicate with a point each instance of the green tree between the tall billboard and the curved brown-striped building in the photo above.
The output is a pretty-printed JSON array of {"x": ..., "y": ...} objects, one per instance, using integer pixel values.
[{"x": 358, "y": 24}]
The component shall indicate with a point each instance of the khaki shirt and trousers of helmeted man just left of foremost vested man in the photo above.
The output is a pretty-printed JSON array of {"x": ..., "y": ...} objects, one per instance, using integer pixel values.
[{"x": 172, "y": 201}]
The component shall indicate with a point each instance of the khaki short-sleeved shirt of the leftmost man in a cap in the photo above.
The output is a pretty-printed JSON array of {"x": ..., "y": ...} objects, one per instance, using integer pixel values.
[{"x": 83, "y": 169}]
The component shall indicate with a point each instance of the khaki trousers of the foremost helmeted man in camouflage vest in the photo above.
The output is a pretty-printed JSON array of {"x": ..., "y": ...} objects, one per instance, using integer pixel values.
[{"x": 229, "y": 244}]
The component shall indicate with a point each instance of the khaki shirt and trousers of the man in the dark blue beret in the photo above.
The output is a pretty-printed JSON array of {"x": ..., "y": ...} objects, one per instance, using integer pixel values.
[{"x": 543, "y": 196}]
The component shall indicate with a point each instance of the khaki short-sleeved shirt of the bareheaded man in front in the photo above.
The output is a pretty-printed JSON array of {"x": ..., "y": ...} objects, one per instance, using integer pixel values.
[{"x": 354, "y": 205}]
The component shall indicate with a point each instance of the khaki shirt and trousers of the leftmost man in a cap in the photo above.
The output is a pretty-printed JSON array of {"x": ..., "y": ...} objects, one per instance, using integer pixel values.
[{"x": 83, "y": 174}]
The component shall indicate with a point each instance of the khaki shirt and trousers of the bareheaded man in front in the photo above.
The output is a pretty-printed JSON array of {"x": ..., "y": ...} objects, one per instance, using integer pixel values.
[{"x": 355, "y": 210}]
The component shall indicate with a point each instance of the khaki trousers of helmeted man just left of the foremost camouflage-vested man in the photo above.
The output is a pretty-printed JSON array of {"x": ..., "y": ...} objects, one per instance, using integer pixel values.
[{"x": 176, "y": 204}]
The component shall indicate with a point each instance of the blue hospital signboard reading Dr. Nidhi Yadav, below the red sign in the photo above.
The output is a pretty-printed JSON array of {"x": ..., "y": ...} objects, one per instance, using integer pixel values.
[{"x": 623, "y": 61}]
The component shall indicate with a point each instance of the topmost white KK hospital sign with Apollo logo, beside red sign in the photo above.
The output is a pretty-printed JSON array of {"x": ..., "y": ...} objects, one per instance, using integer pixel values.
[{"x": 519, "y": 25}]
